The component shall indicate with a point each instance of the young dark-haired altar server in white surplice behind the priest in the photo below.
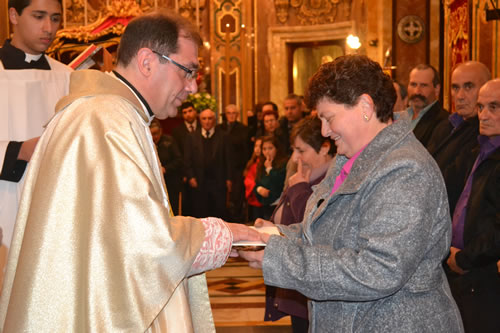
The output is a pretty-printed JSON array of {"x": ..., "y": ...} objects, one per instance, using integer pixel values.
[{"x": 31, "y": 83}]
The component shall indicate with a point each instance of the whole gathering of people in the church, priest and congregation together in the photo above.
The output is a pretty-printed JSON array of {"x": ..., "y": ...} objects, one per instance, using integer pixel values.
[{"x": 386, "y": 204}]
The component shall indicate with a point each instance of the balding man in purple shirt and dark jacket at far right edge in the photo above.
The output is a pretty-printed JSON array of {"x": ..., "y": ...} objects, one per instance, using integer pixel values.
[{"x": 475, "y": 249}]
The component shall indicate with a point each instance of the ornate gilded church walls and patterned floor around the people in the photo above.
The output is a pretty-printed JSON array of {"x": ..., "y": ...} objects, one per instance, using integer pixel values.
[{"x": 263, "y": 50}]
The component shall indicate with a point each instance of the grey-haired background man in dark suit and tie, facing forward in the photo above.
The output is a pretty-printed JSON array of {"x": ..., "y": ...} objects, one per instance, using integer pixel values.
[{"x": 208, "y": 167}]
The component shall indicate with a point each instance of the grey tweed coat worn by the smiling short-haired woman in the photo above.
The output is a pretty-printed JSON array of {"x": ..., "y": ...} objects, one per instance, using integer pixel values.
[{"x": 369, "y": 256}]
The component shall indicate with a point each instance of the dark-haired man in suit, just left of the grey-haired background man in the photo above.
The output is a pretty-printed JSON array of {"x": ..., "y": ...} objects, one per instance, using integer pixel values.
[{"x": 180, "y": 134}]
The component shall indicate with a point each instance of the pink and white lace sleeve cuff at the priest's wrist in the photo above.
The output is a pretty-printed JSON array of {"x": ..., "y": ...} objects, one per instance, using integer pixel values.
[{"x": 215, "y": 248}]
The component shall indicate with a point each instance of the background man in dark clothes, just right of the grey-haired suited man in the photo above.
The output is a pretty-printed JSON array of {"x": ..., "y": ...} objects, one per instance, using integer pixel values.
[{"x": 239, "y": 154}]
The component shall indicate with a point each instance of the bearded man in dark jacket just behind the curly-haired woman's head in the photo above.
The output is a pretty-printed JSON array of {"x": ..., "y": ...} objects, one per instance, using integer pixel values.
[{"x": 425, "y": 110}]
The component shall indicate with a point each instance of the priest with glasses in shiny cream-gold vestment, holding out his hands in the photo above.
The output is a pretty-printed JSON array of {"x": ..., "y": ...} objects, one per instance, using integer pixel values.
[{"x": 96, "y": 247}]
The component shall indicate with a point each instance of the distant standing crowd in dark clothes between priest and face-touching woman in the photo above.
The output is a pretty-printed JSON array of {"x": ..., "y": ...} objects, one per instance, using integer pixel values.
[{"x": 214, "y": 178}]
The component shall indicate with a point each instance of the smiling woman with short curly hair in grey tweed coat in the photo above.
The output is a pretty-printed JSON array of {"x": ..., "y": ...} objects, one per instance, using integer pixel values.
[{"x": 369, "y": 250}]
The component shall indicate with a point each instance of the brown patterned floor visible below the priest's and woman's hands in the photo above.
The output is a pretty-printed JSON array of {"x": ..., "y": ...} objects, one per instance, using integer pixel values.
[{"x": 237, "y": 295}]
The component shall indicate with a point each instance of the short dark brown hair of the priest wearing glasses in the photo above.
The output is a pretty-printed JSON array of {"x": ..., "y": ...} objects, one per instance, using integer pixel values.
[{"x": 158, "y": 31}]
